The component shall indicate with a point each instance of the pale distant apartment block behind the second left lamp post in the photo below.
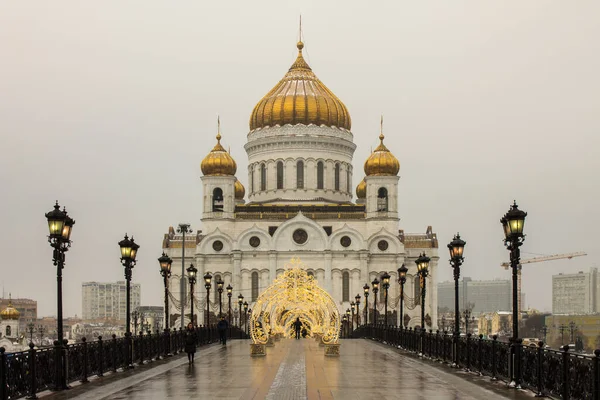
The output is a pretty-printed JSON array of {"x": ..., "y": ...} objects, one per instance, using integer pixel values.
[{"x": 108, "y": 300}]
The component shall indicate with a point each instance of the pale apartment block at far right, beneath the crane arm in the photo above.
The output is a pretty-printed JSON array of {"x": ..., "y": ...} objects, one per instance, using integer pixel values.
[{"x": 576, "y": 293}]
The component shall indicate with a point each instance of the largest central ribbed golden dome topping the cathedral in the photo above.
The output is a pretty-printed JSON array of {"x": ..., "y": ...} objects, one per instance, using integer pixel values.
[{"x": 300, "y": 98}]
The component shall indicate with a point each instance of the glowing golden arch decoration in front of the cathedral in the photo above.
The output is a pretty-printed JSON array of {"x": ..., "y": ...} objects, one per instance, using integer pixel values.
[{"x": 295, "y": 294}]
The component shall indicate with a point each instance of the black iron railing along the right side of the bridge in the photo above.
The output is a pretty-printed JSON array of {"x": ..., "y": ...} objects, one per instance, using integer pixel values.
[{"x": 556, "y": 373}]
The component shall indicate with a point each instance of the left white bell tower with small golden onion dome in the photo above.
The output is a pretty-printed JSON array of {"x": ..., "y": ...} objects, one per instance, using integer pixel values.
[{"x": 222, "y": 191}]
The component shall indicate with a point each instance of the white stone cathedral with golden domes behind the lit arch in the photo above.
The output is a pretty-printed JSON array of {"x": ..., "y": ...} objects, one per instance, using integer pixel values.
[{"x": 299, "y": 204}]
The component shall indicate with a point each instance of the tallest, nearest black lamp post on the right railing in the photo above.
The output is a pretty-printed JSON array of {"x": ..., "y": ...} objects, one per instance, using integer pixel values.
[{"x": 512, "y": 223}]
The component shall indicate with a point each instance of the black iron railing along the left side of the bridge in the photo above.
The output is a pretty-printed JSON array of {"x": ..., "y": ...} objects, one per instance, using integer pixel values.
[{"x": 29, "y": 372}]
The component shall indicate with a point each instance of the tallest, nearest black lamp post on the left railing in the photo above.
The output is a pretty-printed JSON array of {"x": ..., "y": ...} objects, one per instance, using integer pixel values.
[{"x": 60, "y": 226}]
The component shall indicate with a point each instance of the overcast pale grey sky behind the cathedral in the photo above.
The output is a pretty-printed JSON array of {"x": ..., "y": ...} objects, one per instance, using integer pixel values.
[{"x": 110, "y": 106}]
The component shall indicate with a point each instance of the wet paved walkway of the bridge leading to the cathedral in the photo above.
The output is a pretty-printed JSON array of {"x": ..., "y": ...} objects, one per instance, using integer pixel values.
[{"x": 296, "y": 369}]
